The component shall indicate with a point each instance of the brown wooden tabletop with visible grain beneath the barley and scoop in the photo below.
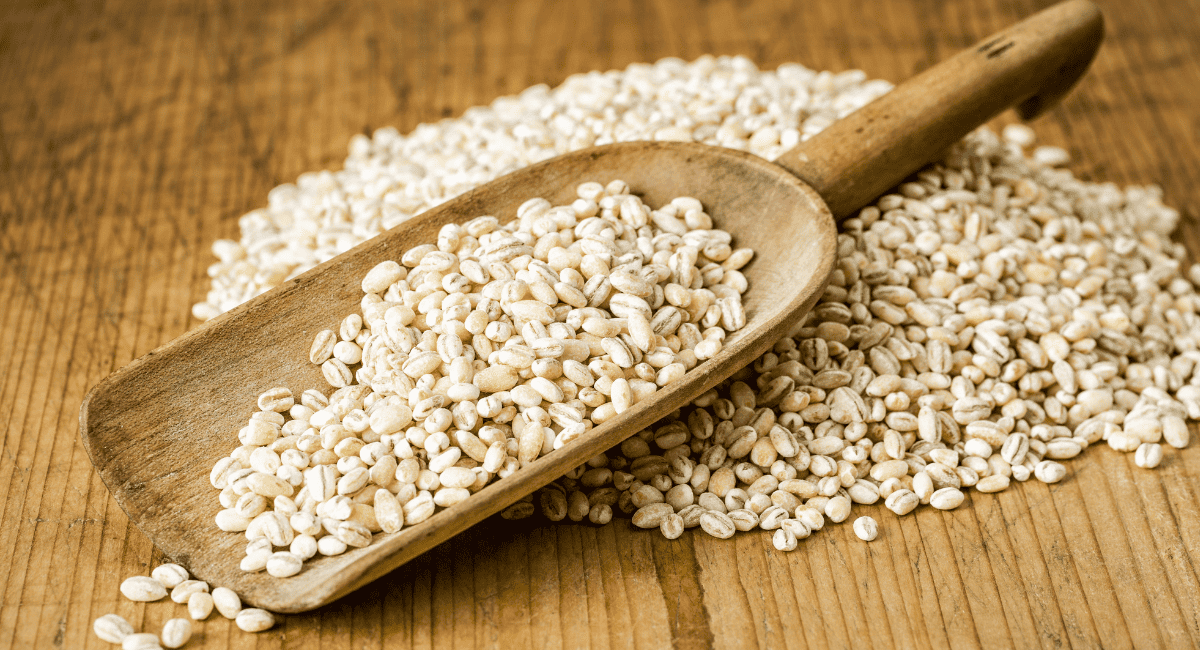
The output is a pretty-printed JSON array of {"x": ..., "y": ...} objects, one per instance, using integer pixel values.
[{"x": 135, "y": 134}]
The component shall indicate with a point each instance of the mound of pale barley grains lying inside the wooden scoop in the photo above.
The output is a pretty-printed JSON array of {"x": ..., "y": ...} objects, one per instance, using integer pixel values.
[{"x": 475, "y": 357}]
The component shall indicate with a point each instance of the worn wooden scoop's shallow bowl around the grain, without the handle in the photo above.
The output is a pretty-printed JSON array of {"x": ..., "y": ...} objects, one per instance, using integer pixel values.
[{"x": 155, "y": 429}]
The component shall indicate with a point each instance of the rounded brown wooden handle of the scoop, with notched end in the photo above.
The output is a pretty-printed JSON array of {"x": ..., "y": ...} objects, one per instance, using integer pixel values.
[{"x": 1031, "y": 64}]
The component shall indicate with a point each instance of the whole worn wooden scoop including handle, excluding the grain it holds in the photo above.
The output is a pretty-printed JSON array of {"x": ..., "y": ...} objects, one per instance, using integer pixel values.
[{"x": 155, "y": 429}]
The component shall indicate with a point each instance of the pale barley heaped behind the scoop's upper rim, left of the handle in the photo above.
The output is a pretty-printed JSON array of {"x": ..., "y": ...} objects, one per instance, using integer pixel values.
[{"x": 389, "y": 178}]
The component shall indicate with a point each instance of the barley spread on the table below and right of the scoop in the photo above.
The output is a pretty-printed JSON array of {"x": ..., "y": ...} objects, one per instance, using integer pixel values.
[{"x": 987, "y": 321}]
